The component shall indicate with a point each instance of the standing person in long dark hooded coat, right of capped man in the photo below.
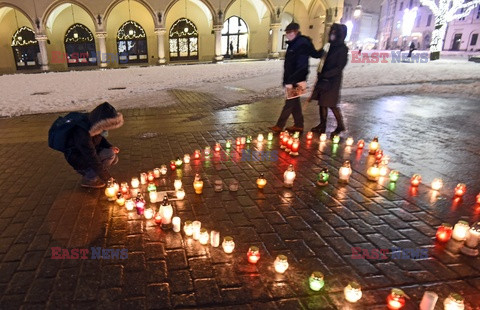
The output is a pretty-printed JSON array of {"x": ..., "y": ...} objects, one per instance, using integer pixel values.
[{"x": 329, "y": 80}]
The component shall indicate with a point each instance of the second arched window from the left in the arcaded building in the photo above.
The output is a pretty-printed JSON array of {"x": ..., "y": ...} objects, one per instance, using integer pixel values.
[{"x": 80, "y": 46}]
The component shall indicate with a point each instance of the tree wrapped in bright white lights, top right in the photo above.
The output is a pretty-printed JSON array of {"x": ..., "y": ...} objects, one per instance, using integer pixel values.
[{"x": 446, "y": 11}]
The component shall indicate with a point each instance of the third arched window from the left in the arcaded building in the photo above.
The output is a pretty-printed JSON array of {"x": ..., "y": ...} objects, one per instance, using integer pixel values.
[{"x": 132, "y": 43}]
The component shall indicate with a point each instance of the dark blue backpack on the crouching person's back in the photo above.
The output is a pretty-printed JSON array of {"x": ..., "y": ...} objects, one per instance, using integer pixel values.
[{"x": 60, "y": 130}]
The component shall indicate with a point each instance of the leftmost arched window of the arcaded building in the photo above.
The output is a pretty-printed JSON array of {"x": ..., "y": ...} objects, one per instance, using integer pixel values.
[{"x": 25, "y": 49}]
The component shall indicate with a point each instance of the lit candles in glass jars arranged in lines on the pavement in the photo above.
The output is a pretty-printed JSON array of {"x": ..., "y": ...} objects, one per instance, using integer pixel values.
[{"x": 352, "y": 291}]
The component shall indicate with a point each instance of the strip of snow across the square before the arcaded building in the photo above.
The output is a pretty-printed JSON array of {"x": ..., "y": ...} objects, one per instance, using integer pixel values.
[{"x": 232, "y": 82}]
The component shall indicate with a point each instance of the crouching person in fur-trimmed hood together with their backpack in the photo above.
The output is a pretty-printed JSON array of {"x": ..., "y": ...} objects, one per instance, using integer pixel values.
[{"x": 81, "y": 137}]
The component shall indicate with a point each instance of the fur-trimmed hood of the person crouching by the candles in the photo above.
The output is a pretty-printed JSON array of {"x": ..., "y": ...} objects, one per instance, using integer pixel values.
[{"x": 104, "y": 117}]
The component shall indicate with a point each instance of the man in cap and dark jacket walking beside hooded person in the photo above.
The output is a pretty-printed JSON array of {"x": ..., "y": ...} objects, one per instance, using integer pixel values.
[{"x": 299, "y": 49}]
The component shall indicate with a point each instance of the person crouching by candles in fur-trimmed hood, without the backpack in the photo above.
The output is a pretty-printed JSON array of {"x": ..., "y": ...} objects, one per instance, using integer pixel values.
[{"x": 88, "y": 151}]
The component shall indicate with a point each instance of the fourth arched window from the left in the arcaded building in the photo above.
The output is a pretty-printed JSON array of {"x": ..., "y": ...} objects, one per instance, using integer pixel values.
[{"x": 183, "y": 40}]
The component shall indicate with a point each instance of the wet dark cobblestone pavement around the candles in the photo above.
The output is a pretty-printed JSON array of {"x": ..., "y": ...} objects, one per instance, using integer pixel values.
[{"x": 42, "y": 206}]
